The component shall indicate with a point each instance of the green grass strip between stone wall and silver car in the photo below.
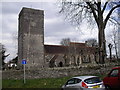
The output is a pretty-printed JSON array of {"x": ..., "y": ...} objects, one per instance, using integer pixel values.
[{"x": 37, "y": 83}]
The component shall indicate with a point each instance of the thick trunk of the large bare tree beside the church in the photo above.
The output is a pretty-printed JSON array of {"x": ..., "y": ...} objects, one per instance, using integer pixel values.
[{"x": 101, "y": 35}]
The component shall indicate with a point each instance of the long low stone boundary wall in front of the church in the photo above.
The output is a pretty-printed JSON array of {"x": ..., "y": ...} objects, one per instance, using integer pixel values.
[{"x": 59, "y": 72}]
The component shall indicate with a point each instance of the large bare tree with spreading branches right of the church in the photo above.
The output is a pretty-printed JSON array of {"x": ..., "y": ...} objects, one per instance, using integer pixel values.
[{"x": 92, "y": 11}]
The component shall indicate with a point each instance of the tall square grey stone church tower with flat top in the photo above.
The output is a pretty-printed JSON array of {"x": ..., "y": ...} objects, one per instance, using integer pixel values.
[{"x": 31, "y": 38}]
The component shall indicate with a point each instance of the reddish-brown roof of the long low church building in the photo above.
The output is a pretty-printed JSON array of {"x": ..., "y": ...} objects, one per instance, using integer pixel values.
[{"x": 59, "y": 49}]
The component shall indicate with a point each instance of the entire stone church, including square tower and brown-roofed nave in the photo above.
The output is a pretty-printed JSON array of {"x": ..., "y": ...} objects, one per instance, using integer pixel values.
[{"x": 31, "y": 45}]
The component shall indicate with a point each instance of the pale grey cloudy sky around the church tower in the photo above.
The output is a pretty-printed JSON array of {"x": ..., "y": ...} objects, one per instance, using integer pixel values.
[{"x": 55, "y": 27}]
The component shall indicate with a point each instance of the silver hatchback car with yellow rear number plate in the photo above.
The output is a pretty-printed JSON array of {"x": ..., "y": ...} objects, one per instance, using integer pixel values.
[{"x": 83, "y": 82}]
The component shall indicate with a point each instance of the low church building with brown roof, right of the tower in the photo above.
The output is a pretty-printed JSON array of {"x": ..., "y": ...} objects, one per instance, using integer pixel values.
[{"x": 61, "y": 56}]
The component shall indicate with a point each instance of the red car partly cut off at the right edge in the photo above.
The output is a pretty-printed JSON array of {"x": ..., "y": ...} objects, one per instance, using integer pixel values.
[{"x": 112, "y": 80}]
